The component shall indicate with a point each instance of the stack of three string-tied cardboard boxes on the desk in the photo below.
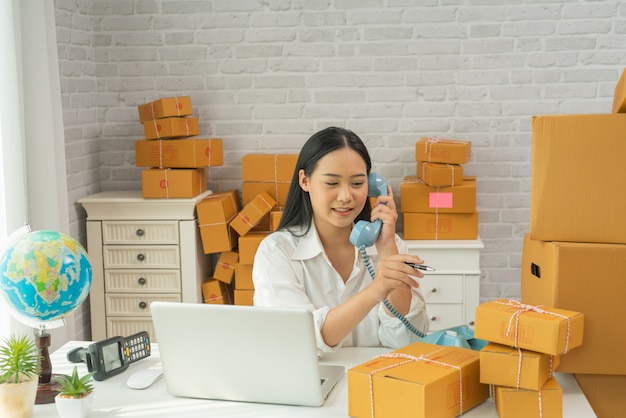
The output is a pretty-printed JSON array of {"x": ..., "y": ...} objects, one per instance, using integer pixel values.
[{"x": 524, "y": 347}]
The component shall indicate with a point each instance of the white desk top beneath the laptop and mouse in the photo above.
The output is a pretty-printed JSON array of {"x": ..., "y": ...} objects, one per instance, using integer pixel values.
[{"x": 114, "y": 399}]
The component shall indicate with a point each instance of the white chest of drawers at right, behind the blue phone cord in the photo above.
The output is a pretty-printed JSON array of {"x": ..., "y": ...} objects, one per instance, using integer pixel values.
[{"x": 452, "y": 291}]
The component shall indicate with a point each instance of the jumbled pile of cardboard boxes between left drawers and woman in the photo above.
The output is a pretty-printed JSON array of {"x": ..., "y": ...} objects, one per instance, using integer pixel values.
[{"x": 235, "y": 232}]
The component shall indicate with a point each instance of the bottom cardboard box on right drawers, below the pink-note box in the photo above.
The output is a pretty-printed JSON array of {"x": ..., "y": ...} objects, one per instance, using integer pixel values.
[{"x": 440, "y": 226}]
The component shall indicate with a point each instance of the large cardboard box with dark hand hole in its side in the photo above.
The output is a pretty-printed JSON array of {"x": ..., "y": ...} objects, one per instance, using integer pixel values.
[{"x": 583, "y": 277}]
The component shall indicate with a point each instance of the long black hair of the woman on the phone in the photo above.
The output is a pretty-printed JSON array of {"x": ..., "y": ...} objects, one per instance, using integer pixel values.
[{"x": 298, "y": 210}]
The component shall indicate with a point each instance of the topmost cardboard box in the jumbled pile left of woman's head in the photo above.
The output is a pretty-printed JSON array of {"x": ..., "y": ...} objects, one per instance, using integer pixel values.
[{"x": 268, "y": 167}]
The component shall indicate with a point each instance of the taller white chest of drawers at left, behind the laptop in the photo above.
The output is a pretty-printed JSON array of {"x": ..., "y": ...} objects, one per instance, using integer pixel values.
[{"x": 141, "y": 250}]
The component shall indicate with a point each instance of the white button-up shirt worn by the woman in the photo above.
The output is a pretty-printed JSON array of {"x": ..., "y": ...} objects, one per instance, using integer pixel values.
[{"x": 293, "y": 271}]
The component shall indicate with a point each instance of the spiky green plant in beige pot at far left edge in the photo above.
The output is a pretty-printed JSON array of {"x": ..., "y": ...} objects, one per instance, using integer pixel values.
[{"x": 19, "y": 376}]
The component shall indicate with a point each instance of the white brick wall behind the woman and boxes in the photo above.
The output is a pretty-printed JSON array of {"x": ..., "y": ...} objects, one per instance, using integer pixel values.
[{"x": 265, "y": 74}]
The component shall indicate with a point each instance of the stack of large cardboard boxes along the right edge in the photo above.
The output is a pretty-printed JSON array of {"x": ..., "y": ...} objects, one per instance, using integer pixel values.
[{"x": 574, "y": 256}]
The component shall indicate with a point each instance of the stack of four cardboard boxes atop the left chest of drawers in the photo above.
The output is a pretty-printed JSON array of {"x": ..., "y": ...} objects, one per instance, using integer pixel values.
[{"x": 177, "y": 162}]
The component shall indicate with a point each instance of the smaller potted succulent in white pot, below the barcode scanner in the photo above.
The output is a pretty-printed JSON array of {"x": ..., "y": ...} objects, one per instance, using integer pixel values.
[{"x": 75, "y": 396}]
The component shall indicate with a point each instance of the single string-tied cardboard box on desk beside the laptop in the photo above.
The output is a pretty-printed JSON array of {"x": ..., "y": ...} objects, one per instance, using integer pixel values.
[{"x": 419, "y": 380}]
